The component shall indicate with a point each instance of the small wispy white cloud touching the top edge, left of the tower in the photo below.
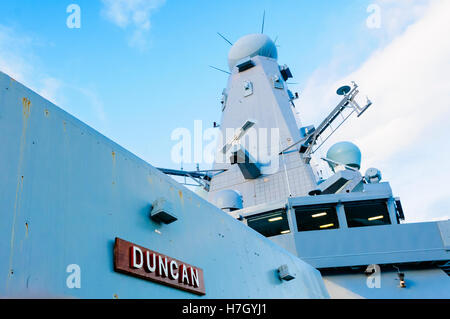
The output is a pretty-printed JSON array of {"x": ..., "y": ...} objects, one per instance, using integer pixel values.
[{"x": 137, "y": 13}]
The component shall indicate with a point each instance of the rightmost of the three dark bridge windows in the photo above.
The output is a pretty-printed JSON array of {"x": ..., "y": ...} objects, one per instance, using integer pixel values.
[{"x": 361, "y": 214}]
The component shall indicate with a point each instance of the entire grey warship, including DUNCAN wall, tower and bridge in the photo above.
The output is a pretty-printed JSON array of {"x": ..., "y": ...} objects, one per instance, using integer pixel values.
[{"x": 83, "y": 217}]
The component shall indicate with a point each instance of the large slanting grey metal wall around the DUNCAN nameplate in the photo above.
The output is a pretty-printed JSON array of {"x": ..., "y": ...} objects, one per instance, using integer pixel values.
[{"x": 67, "y": 191}]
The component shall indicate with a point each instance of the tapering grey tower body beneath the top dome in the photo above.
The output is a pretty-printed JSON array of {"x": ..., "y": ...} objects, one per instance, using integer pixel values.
[{"x": 270, "y": 107}]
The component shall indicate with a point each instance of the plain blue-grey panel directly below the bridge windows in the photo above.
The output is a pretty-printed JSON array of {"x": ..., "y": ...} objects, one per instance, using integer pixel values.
[{"x": 371, "y": 245}]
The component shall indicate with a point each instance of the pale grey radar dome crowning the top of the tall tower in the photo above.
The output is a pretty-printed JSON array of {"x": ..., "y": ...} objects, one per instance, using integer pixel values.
[{"x": 252, "y": 45}]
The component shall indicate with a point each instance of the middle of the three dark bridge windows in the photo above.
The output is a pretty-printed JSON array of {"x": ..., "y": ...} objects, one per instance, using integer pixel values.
[{"x": 318, "y": 217}]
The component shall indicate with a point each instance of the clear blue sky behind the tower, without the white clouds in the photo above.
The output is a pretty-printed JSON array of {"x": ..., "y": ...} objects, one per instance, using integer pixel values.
[{"x": 146, "y": 92}]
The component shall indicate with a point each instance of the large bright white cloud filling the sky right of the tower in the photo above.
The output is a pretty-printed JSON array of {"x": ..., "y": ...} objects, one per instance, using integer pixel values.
[{"x": 405, "y": 132}]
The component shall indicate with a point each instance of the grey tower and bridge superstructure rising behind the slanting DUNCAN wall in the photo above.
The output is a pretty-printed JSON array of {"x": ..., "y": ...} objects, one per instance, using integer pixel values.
[{"x": 348, "y": 225}]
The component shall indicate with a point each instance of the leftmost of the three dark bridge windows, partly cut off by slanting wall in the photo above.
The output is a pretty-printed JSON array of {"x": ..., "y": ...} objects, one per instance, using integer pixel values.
[{"x": 270, "y": 224}]
